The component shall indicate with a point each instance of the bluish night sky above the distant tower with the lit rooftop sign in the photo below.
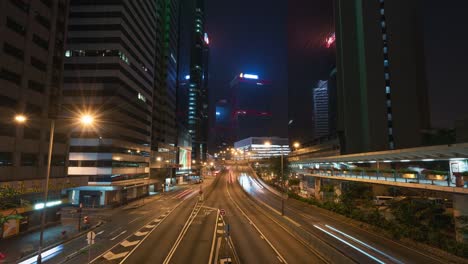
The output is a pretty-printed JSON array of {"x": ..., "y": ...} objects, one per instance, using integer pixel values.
[{"x": 249, "y": 36}]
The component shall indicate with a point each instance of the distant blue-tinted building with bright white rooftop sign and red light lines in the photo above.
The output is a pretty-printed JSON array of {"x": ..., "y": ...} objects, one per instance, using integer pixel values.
[{"x": 251, "y": 110}]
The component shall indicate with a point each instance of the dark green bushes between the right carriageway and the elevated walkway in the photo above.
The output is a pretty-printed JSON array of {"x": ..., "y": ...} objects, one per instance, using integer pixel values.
[{"x": 419, "y": 220}]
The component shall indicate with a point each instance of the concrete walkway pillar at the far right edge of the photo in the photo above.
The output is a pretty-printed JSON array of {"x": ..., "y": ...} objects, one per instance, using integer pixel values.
[{"x": 460, "y": 213}]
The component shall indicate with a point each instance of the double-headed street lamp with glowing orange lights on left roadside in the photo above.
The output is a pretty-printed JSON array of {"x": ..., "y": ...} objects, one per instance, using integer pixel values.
[{"x": 85, "y": 120}]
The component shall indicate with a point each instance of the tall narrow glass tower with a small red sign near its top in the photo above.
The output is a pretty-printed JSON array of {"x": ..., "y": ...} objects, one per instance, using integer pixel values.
[{"x": 198, "y": 110}]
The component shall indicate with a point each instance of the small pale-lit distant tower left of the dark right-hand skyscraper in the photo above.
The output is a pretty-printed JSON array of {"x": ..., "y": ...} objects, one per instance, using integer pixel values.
[{"x": 321, "y": 112}]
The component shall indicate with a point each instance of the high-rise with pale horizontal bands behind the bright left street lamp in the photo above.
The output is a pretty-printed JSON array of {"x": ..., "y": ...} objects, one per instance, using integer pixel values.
[{"x": 110, "y": 72}]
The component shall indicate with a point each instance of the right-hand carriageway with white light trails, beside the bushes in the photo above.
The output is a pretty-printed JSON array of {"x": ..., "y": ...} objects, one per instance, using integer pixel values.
[{"x": 357, "y": 243}]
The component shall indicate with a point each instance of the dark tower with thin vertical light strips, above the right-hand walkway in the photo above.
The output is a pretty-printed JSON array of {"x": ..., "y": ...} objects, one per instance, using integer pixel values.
[{"x": 381, "y": 82}]
